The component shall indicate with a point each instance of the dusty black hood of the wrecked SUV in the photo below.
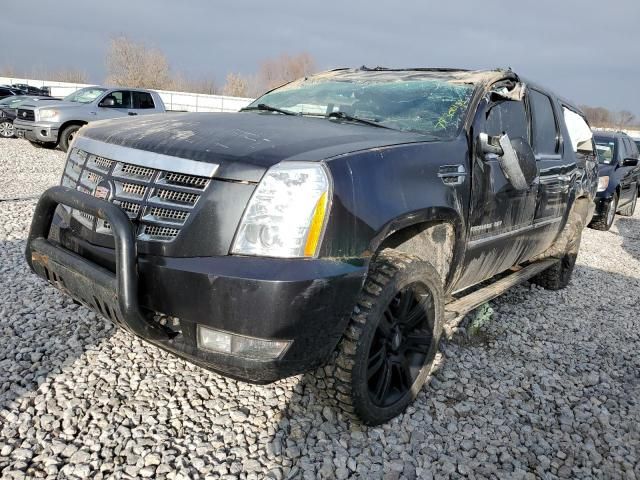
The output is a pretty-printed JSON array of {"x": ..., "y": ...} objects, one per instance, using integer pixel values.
[{"x": 244, "y": 144}]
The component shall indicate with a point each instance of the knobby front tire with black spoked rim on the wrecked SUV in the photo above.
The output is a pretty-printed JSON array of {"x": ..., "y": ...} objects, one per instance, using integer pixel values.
[{"x": 387, "y": 351}]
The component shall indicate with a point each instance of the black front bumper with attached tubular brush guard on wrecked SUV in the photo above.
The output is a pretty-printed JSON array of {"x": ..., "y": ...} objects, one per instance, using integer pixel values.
[{"x": 307, "y": 302}]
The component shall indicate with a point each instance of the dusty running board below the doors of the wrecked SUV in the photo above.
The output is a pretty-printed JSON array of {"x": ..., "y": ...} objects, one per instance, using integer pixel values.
[{"x": 457, "y": 309}]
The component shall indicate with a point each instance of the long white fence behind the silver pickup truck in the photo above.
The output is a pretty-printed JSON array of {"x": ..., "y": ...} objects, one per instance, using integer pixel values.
[{"x": 191, "y": 102}]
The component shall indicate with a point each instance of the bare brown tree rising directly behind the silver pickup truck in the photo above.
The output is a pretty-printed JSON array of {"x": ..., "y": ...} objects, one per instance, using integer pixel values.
[{"x": 133, "y": 64}]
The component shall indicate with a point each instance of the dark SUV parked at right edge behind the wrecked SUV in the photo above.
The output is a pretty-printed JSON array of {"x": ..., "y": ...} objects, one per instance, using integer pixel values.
[{"x": 619, "y": 178}]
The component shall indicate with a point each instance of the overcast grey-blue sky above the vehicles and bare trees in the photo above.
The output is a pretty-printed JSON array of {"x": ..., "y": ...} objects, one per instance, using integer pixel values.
[{"x": 588, "y": 53}]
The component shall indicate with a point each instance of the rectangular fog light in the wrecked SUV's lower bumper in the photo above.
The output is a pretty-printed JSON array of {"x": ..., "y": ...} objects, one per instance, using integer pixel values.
[{"x": 239, "y": 345}]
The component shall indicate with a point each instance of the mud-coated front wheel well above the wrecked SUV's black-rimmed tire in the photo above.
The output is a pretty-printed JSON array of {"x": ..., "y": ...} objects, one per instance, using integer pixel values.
[{"x": 430, "y": 241}]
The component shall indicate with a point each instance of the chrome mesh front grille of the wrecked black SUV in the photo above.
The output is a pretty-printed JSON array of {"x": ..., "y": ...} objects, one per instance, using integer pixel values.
[{"x": 158, "y": 202}]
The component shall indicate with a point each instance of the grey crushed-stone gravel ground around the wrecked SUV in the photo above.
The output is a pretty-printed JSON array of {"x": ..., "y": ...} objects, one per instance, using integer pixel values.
[{"x": 549, "y": 388}]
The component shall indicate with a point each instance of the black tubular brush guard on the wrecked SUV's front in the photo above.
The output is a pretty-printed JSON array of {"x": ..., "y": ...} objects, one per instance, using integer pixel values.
[{"x": 113, "y": 295}]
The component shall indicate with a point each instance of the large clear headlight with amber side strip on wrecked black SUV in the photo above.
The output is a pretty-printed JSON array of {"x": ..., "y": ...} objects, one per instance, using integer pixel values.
[{"x": 287, "y": 213}]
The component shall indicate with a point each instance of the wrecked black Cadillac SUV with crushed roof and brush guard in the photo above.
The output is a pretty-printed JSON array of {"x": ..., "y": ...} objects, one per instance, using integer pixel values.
[{"x": 339, "y": 220}]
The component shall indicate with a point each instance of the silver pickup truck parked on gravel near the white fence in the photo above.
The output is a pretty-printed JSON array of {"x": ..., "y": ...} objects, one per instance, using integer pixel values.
[{"x": 52, "y": 126}]
